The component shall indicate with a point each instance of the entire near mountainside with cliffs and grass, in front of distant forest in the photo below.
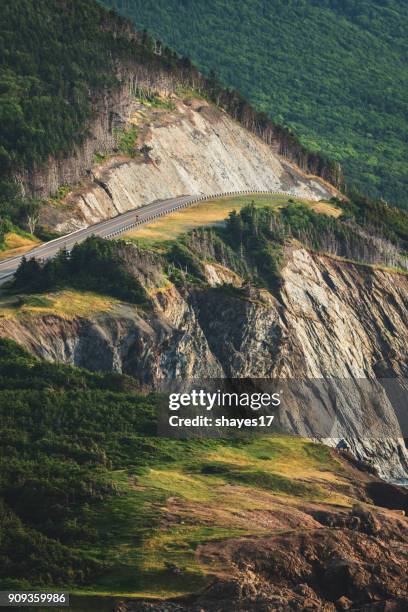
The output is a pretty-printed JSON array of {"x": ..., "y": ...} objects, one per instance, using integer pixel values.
[{"x": 307, "y": 287}]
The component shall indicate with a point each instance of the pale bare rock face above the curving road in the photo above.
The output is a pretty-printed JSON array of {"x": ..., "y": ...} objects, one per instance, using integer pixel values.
[{"x": 196, "y": 149}]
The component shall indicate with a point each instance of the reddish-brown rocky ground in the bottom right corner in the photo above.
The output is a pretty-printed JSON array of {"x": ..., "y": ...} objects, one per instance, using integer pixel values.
[{"x": 315, "y": 557}]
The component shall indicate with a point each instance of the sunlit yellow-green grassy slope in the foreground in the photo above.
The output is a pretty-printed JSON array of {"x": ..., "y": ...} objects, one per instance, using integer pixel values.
[{"x": 167, "y": 510}]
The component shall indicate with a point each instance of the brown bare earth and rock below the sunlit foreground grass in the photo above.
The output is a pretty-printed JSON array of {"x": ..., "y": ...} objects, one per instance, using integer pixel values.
[{"x": 320, "y": 569}]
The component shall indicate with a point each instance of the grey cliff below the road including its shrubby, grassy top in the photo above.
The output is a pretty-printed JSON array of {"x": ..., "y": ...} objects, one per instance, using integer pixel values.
[{"x": 205, "y": 310}]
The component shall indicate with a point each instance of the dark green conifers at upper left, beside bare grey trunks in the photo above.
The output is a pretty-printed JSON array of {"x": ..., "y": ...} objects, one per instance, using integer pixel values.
[{"x": 53, "y": 55}]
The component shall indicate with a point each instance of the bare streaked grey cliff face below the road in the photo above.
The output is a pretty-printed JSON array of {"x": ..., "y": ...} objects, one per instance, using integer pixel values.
[{"x": 330, "y": 319}]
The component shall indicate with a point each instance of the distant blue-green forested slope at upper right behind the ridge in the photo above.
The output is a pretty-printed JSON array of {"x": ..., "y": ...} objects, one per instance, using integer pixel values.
[{"x": 334, "y": 71}]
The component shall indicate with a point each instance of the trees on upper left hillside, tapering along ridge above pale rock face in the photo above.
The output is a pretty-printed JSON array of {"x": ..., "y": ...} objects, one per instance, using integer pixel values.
[{"x": 58, "y": 57}]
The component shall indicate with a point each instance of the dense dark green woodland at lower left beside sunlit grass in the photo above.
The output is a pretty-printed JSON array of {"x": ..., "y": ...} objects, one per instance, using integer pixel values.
[{"x": 62, "y": 433}]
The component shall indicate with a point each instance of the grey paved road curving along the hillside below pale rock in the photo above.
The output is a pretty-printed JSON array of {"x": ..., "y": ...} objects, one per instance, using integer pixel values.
[{"x": 115, "y": 226}]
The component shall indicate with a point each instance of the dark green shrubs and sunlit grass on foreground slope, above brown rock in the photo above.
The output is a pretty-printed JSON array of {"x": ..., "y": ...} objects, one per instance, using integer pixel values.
[{"x": 93, "y": 500}]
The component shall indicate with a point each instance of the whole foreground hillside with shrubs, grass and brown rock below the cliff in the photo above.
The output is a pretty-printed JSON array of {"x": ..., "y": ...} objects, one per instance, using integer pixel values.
[{"x": 93, "y": 501}]
